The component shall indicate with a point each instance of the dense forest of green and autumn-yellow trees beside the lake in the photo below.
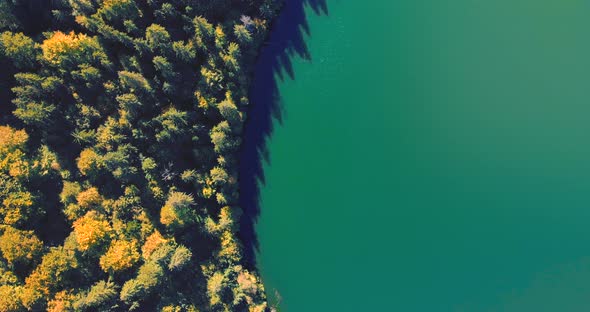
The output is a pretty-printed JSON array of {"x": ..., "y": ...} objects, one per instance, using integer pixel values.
[{"x": 120, "y": 121}]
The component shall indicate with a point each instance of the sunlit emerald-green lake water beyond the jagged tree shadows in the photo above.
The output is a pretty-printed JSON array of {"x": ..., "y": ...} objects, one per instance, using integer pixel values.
[{"x": 434, "y": 156}]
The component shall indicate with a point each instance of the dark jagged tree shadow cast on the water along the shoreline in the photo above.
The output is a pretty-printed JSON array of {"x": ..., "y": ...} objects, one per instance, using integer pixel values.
[{"x": 274, "y": 64}]
